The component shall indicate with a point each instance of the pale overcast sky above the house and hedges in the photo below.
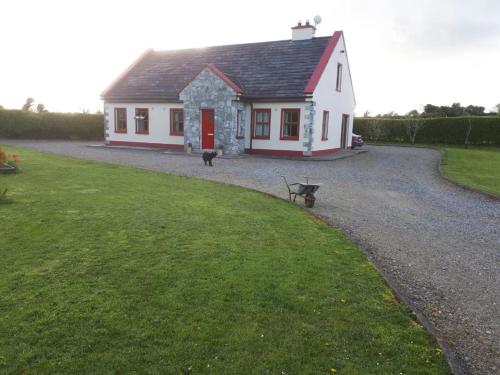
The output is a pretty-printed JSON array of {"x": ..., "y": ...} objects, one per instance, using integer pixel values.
[{"x": 403, "y": 54}]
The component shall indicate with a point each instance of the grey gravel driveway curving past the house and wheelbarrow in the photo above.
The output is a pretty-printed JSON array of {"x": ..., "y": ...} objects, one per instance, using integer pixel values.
[{"x": 437, "y": 245}]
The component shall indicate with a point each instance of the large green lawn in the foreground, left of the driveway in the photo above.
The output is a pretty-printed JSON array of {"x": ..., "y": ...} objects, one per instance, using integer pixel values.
[{"x": 108, "y": 269}]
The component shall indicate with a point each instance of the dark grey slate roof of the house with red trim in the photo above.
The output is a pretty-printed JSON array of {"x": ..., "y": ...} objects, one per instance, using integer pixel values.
[{"x": 271, "y": 70}]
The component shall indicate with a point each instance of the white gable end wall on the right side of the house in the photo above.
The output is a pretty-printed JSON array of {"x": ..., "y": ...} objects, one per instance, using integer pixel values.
[{"x": 327, "y": 98}]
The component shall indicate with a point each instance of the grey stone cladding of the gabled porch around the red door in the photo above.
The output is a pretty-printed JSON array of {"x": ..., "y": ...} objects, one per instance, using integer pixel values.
[{"x": 209, "y": 91}]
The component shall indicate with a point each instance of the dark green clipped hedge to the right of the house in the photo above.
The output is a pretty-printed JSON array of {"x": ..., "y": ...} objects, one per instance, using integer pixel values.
[{"x": 444, "y": 130}]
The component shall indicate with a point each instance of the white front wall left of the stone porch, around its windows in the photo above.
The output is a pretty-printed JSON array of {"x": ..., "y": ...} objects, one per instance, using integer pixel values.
[{"x": 159, "y": 123}]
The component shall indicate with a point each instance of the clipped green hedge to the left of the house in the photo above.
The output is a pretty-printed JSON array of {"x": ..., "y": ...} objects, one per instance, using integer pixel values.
[{"x": 70, "y": 126}]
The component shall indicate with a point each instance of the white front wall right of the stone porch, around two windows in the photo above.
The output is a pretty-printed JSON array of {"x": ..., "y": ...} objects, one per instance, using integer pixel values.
[{"x": 275, "y": 143}]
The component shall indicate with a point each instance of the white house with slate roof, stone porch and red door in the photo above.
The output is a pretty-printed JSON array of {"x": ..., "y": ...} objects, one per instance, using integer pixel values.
[{"x": 289, "y": 98}]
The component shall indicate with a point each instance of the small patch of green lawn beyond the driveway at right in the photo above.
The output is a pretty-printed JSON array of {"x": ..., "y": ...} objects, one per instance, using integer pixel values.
[{"x": 476, "y": 167}]
